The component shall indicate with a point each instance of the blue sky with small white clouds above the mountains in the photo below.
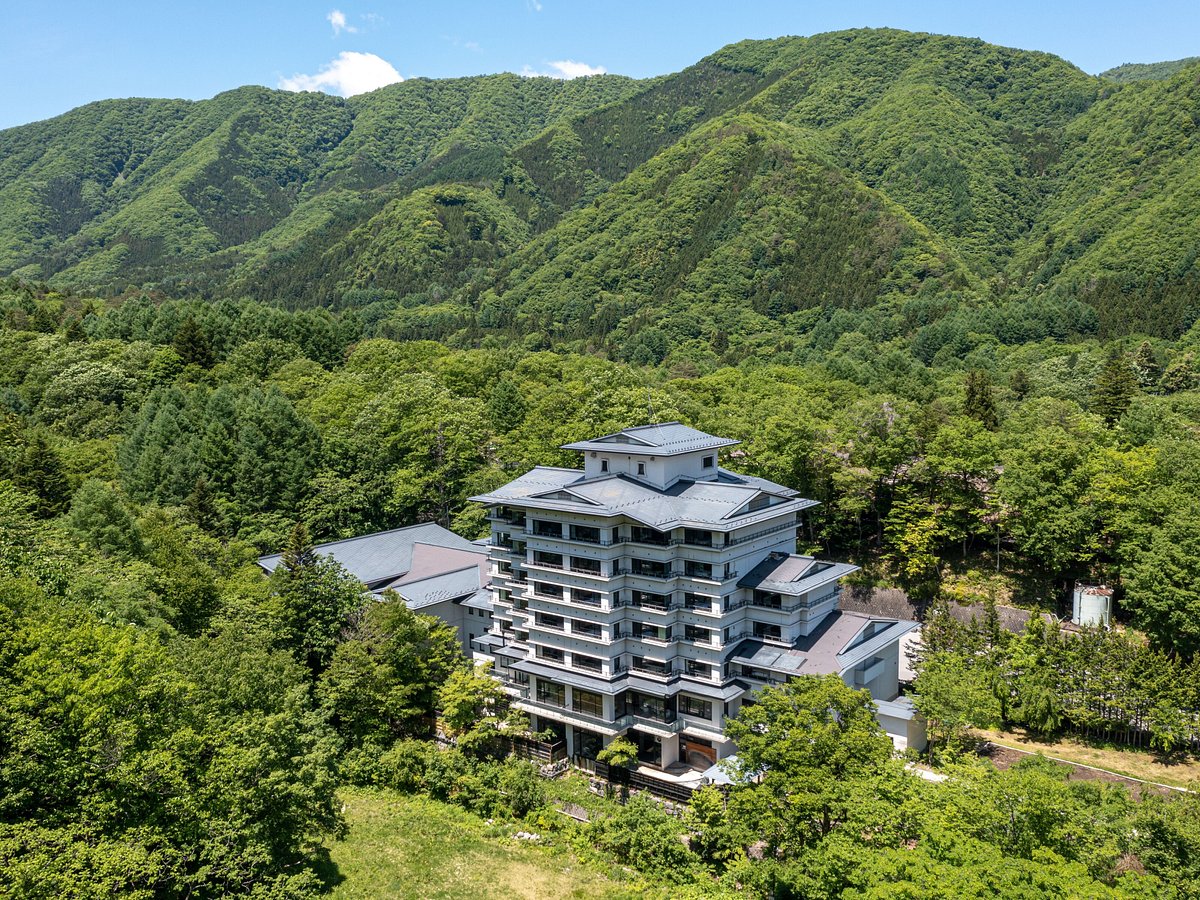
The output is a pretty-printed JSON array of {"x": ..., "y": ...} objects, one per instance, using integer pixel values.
[{"x": 58, "y": 56}]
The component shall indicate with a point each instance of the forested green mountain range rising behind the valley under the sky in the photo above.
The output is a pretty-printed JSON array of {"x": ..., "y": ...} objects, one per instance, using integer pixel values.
[{"x": 751, "y": 196}]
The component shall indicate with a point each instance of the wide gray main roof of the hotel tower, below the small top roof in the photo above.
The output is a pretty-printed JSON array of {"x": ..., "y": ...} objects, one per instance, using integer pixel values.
[{"x": 717, "y": 503}]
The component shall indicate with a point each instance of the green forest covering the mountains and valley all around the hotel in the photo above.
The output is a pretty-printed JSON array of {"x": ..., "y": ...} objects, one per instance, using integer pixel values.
[{"x": 947, "y": 290}]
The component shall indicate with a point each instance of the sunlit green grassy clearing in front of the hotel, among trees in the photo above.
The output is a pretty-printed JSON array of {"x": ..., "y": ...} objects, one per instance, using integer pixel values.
[{"x": 404, "y": 847}]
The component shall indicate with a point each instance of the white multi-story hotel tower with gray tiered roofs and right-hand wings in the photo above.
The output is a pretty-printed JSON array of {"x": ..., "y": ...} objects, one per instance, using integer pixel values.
[{"x": 652, "y": 592}]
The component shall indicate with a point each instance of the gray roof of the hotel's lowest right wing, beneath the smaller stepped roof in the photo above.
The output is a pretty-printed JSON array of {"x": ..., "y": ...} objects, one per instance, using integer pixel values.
[{"x": 829, "y": 650}]
